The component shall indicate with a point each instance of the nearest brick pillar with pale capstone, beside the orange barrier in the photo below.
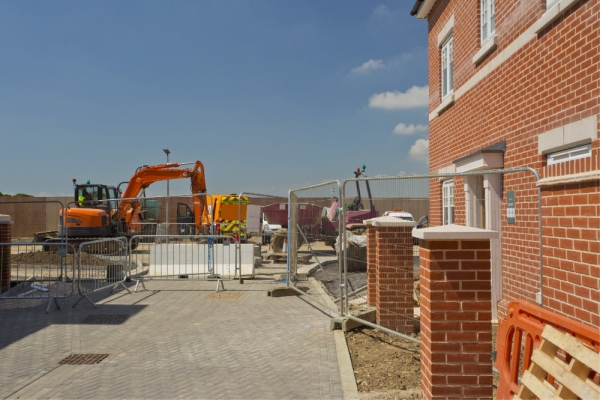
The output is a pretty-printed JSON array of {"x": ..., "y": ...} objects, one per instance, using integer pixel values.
[{"x": 456, "y": 327}]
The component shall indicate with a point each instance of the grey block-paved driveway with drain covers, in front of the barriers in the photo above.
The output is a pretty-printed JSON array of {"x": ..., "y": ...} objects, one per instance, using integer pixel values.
[{"x": 178, "y": 341}]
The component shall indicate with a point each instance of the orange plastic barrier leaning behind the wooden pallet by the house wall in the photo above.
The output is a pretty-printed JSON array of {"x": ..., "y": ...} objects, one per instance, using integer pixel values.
[{"x": 523, "y": 317}]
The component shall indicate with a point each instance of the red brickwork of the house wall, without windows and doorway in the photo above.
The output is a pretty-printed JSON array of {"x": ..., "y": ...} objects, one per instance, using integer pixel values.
[{"x": 528, "y": 85}]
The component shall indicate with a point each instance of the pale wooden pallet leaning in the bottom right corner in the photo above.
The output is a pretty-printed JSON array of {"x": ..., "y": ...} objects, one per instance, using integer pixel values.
[{"x": 549, "y": 377}]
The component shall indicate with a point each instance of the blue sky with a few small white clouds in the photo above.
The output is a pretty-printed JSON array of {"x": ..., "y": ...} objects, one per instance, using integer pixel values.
[{"x": 270, "y": 95}]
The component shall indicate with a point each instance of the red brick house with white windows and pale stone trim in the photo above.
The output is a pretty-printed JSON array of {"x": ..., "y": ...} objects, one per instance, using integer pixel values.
[{"x": 516, "y": 83}]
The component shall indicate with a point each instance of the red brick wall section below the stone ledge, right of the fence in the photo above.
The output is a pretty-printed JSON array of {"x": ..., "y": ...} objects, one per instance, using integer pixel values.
[{"x": 571, "y": 230}]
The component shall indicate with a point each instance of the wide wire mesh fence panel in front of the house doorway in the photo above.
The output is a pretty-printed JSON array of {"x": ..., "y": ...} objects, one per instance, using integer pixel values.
[{"x": 477, "y": 199}]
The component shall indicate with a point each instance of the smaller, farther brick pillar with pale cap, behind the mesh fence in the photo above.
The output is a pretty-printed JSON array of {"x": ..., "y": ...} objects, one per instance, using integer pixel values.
[{"x": 390, "y": 256}]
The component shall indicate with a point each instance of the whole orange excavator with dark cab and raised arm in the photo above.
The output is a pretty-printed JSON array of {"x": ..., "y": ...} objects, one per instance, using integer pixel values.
[{"x": 101, "y": 212}]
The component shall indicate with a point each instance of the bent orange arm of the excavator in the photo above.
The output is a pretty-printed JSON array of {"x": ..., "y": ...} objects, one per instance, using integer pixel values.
[{"x": 129, "y": 208}]
